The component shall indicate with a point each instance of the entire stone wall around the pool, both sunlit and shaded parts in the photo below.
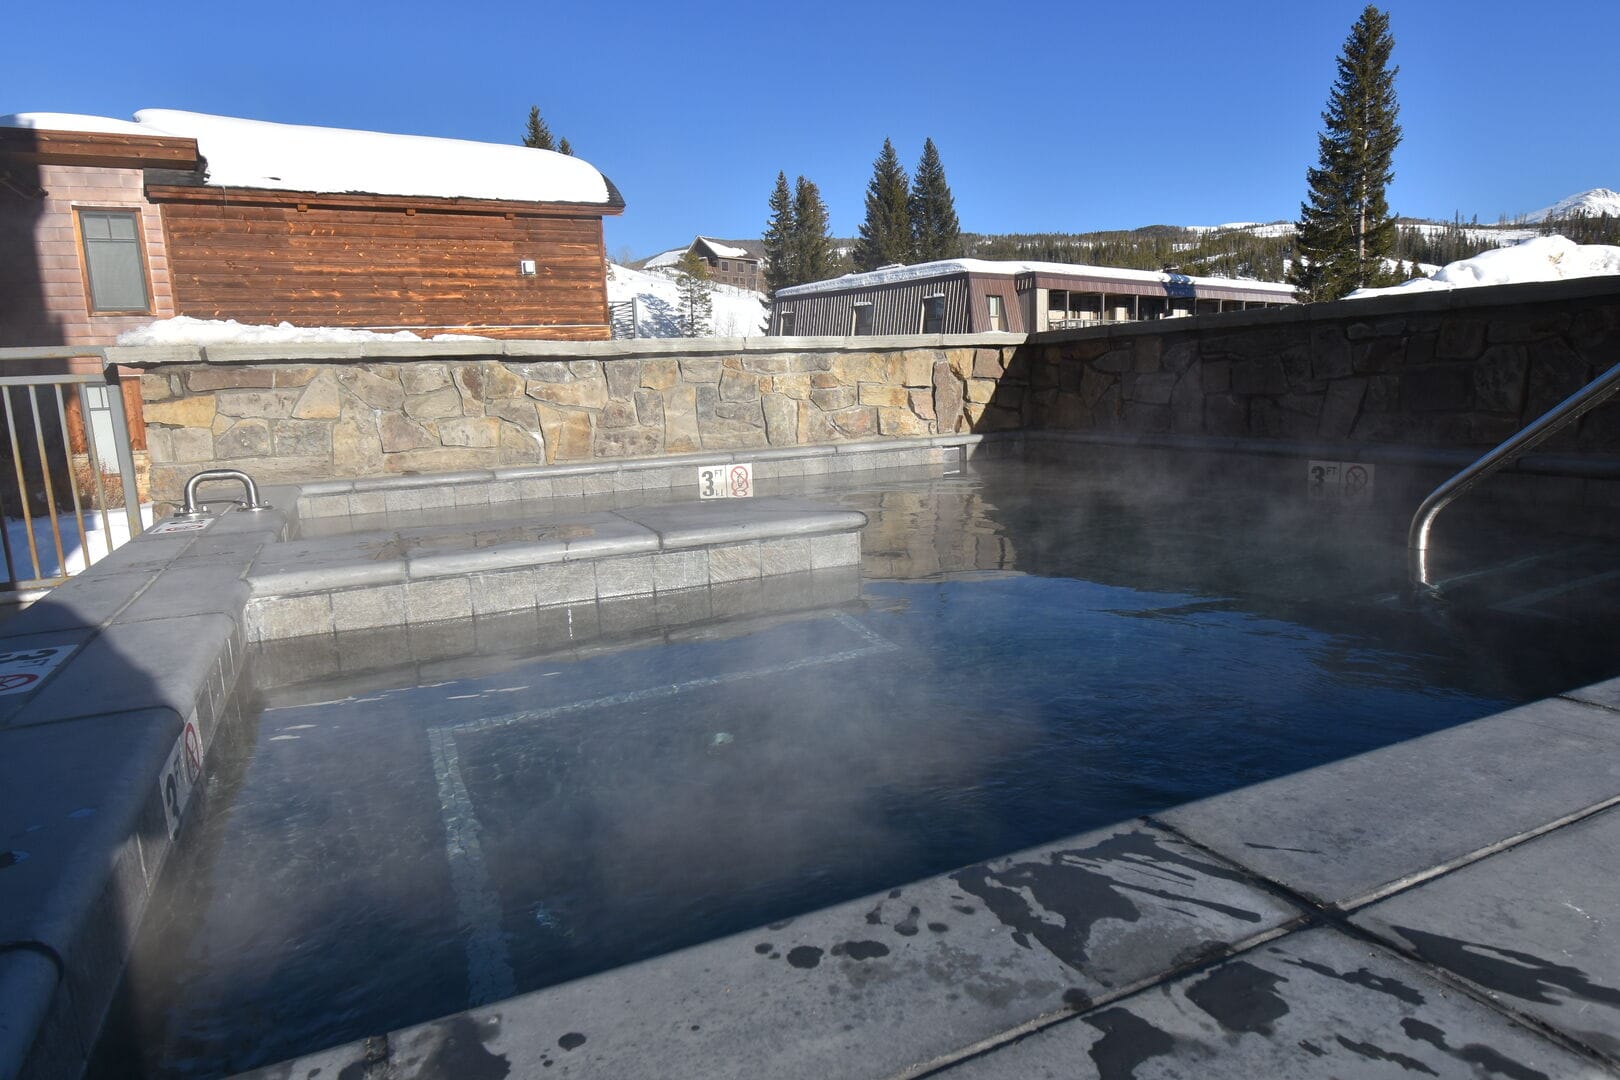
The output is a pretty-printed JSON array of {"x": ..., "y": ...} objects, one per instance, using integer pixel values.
[{"x": 1460, "y": 372}]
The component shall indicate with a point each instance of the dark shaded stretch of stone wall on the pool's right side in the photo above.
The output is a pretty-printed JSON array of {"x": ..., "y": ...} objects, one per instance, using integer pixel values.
[{"x": 1457, "y": 372}]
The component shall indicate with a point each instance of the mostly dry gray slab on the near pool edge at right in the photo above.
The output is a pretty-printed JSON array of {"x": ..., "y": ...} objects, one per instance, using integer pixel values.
[{"x": 1347, "y": 833}]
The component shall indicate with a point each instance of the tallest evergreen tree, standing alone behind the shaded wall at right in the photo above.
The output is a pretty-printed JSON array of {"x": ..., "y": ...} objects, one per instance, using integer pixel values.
[{"x": 1345, "y": 227}]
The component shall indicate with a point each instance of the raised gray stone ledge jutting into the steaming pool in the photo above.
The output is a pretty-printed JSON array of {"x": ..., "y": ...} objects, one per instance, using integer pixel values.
[{"x": 432, "y": 574}]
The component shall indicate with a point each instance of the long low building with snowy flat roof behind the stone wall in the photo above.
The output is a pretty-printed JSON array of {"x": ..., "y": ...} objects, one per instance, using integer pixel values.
[{"x": 976, "y": 296}]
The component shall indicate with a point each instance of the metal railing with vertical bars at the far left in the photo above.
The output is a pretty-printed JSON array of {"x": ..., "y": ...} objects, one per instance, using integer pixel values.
[{"x": 49, "y": 490}]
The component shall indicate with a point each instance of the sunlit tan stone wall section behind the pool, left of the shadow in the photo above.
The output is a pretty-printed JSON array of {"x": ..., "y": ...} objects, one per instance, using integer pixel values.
[{"x": 284, "y": 420}]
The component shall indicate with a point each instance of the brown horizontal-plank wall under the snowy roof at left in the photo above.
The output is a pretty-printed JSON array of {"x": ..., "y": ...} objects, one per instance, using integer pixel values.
[{"x": 385, "y": 268}]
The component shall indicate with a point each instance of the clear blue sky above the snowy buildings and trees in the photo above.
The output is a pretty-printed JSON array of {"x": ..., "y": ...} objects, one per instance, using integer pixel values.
[{"x": 1049, "y": 117}]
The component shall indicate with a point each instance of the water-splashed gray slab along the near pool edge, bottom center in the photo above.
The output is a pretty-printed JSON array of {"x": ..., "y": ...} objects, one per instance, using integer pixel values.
[{"x": 879, "y": 985}]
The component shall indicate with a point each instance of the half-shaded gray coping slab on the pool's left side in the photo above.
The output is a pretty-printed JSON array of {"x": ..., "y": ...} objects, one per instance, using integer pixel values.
[{"x": 161, "y": 663}]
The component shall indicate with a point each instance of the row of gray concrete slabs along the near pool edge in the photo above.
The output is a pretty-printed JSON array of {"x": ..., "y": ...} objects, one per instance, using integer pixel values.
[{"x": 953, "y": 969}]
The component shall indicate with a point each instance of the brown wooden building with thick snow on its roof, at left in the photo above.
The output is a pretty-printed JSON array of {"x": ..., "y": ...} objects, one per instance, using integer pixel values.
[{"x": 108, "y": 226}]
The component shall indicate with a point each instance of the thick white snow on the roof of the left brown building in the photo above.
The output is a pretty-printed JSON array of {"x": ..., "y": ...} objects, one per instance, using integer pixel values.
[{"x": 333, "y": 161}]
